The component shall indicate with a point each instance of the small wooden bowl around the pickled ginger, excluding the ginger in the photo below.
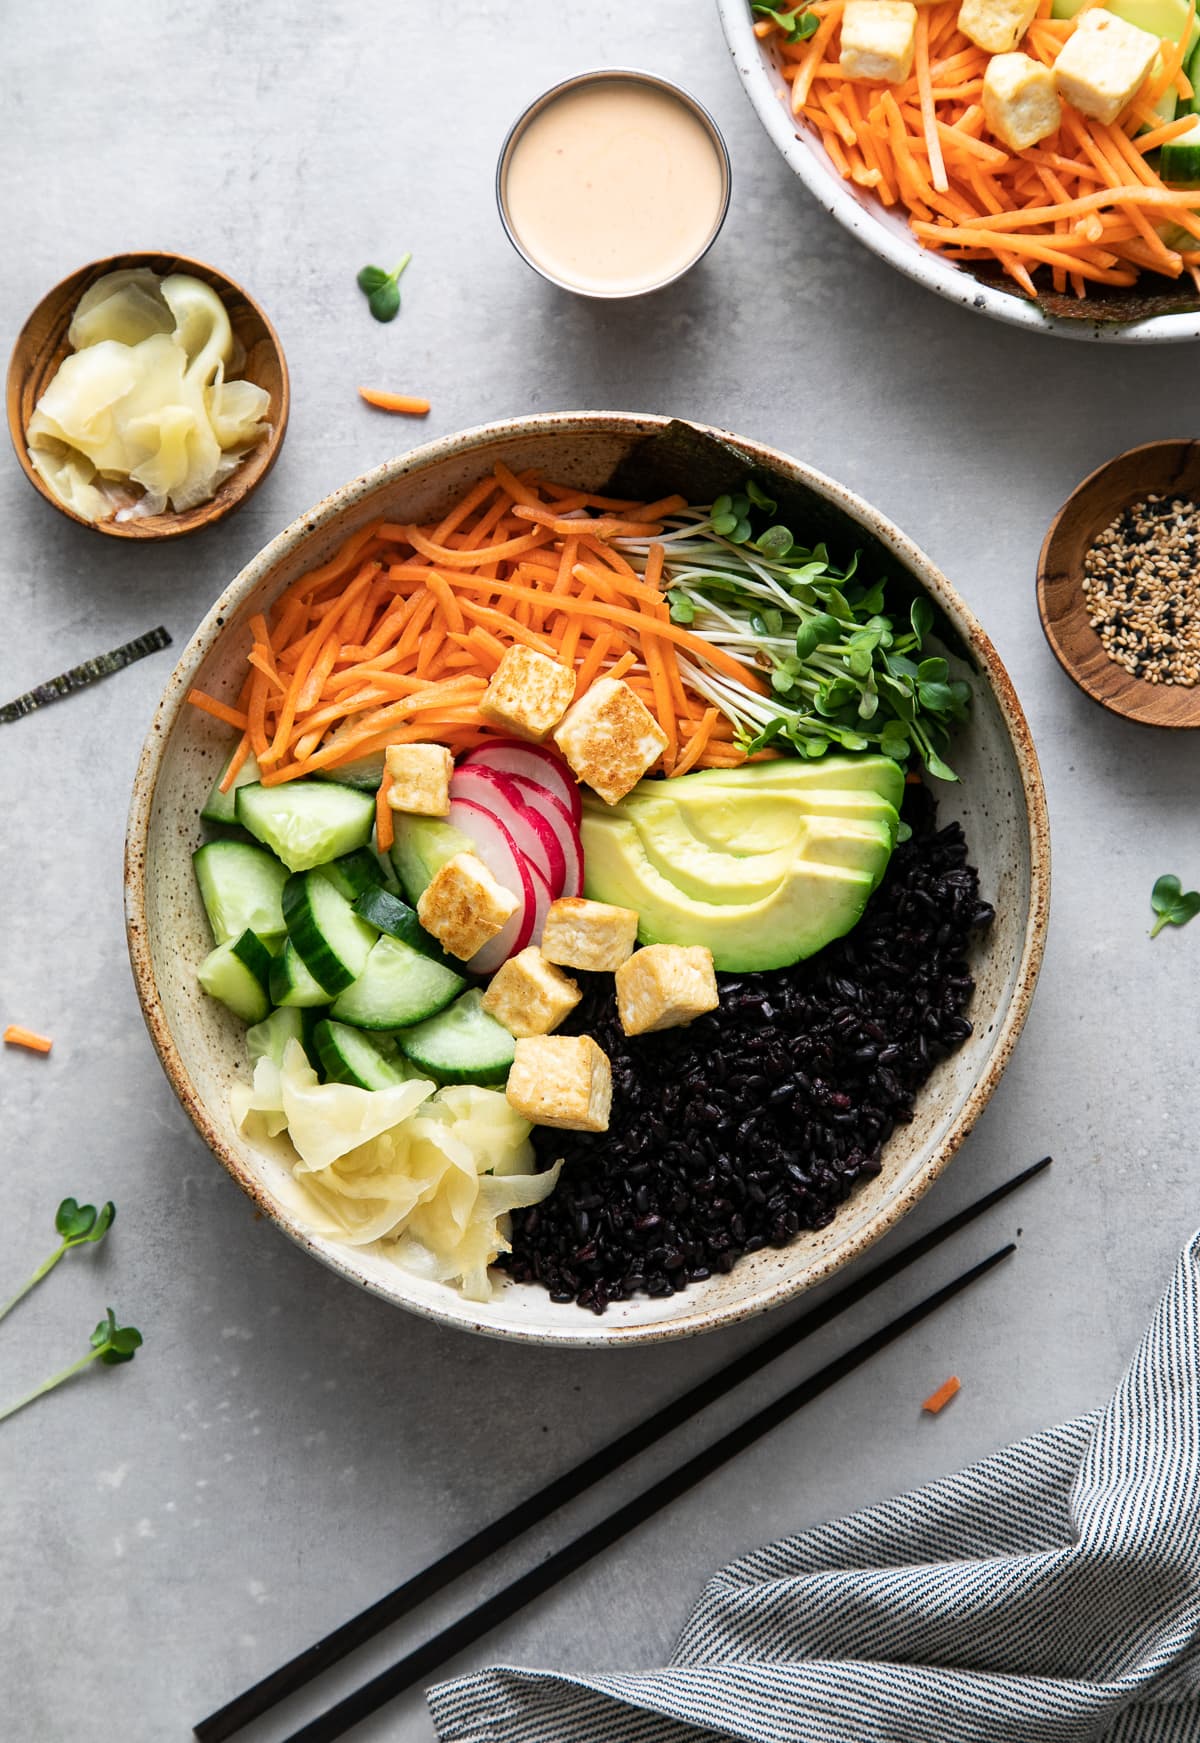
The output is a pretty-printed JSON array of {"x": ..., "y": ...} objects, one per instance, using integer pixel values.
[{"x": 43, "y": 346}]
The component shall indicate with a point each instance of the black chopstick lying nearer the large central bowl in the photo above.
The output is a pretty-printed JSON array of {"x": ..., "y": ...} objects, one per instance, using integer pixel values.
[{"x": 289, "y": 1679}]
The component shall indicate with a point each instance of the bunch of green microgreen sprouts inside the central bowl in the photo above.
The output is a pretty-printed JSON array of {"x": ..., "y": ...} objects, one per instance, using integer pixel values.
[{"x": 842, "y": 672}]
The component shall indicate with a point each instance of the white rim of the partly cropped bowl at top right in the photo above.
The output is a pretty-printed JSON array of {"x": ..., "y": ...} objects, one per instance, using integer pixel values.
[{"x": 831, "y": 193}]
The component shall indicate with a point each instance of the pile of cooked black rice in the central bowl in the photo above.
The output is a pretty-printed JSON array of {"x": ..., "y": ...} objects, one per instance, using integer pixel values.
[{"x": 760, "y": 1120}]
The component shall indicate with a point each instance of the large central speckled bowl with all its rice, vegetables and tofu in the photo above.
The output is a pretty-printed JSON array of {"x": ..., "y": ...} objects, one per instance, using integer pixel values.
[{"x": 587, "y": 878}]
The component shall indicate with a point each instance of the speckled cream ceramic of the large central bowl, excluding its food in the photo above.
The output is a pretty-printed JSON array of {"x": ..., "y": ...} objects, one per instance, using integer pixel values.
[{"x": 1000, "y": 803}]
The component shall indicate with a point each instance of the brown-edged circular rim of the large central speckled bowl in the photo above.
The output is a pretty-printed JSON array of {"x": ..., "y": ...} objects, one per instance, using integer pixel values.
[{"x": 578, "y": 1329}]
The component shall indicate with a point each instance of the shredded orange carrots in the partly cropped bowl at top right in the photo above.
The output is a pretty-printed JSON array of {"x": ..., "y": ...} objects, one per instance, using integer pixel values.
[{"x": 924, "y": 146}]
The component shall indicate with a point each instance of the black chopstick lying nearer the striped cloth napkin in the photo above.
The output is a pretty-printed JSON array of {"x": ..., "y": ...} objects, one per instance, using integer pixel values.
[{"x": 540, "y": 1580}]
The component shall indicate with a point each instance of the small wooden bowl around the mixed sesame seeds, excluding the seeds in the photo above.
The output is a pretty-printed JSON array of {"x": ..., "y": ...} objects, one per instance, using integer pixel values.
[{"x": 1159, "y": 468}]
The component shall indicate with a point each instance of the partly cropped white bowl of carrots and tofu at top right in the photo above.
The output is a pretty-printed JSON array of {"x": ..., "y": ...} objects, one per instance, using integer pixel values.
[{"x": 1087, "y": 231}]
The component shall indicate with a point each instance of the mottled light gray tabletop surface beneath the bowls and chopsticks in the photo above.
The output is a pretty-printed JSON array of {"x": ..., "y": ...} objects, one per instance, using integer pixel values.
[{"x": 285, "y": 1449}]
